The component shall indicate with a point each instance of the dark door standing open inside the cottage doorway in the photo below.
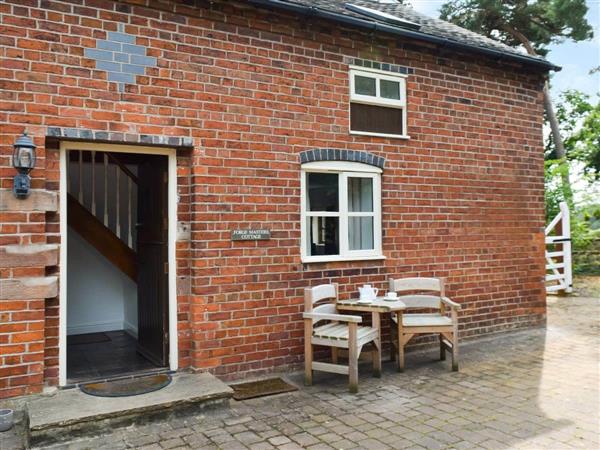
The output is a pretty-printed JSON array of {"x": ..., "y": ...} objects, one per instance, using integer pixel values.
[{"x": 153, "y": 286}]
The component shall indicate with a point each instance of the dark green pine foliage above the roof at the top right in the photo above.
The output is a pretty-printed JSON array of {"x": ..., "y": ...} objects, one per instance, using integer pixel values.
[{"x": 541, "y": 22}]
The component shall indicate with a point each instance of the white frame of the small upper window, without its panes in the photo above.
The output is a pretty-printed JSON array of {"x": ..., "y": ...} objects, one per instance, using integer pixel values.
[{"x": 377, "y": 100}]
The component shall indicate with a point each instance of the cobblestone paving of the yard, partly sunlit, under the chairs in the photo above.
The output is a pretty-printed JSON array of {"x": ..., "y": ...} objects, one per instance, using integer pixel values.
[{"x": 534, "y": 389}]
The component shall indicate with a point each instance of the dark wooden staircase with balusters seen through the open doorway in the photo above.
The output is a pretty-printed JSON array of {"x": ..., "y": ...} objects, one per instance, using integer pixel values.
[{"x": 99, "y": 187}]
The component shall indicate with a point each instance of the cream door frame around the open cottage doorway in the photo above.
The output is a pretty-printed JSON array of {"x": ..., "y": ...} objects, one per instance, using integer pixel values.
[{"x": 65, "y": 146}]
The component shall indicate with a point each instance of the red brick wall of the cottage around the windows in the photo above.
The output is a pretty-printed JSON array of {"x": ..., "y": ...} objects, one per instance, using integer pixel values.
[{"x": 462, "y": 199}]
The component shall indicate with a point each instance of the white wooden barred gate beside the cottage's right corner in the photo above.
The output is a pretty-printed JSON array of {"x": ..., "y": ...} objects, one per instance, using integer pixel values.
[{"x": 559, "y": 273}]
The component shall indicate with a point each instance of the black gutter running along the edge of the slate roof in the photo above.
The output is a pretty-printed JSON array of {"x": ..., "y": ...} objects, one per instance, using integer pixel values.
[{"x": 418, "y": 35}]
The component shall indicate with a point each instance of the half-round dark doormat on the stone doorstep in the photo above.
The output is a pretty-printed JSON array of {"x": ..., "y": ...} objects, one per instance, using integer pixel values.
[{"x": 128, "y": 386}]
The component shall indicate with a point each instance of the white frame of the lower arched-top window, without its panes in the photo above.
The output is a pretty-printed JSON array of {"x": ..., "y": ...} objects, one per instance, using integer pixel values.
[{"x": 344, "y": 170}]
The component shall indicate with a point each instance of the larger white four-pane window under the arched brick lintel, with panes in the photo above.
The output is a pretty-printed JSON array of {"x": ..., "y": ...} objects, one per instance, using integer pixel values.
[{"x": 341, "y": 211}]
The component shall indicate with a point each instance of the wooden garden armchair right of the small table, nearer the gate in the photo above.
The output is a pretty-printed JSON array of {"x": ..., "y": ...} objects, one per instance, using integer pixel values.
[{"x": 408, "y": 325}]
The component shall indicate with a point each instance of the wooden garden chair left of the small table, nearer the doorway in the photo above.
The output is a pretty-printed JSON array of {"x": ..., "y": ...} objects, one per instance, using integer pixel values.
[{"x": 340, "y": 331}]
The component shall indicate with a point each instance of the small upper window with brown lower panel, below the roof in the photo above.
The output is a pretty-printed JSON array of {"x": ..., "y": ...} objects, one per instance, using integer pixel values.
[{"x": 377, "y": 103}]
